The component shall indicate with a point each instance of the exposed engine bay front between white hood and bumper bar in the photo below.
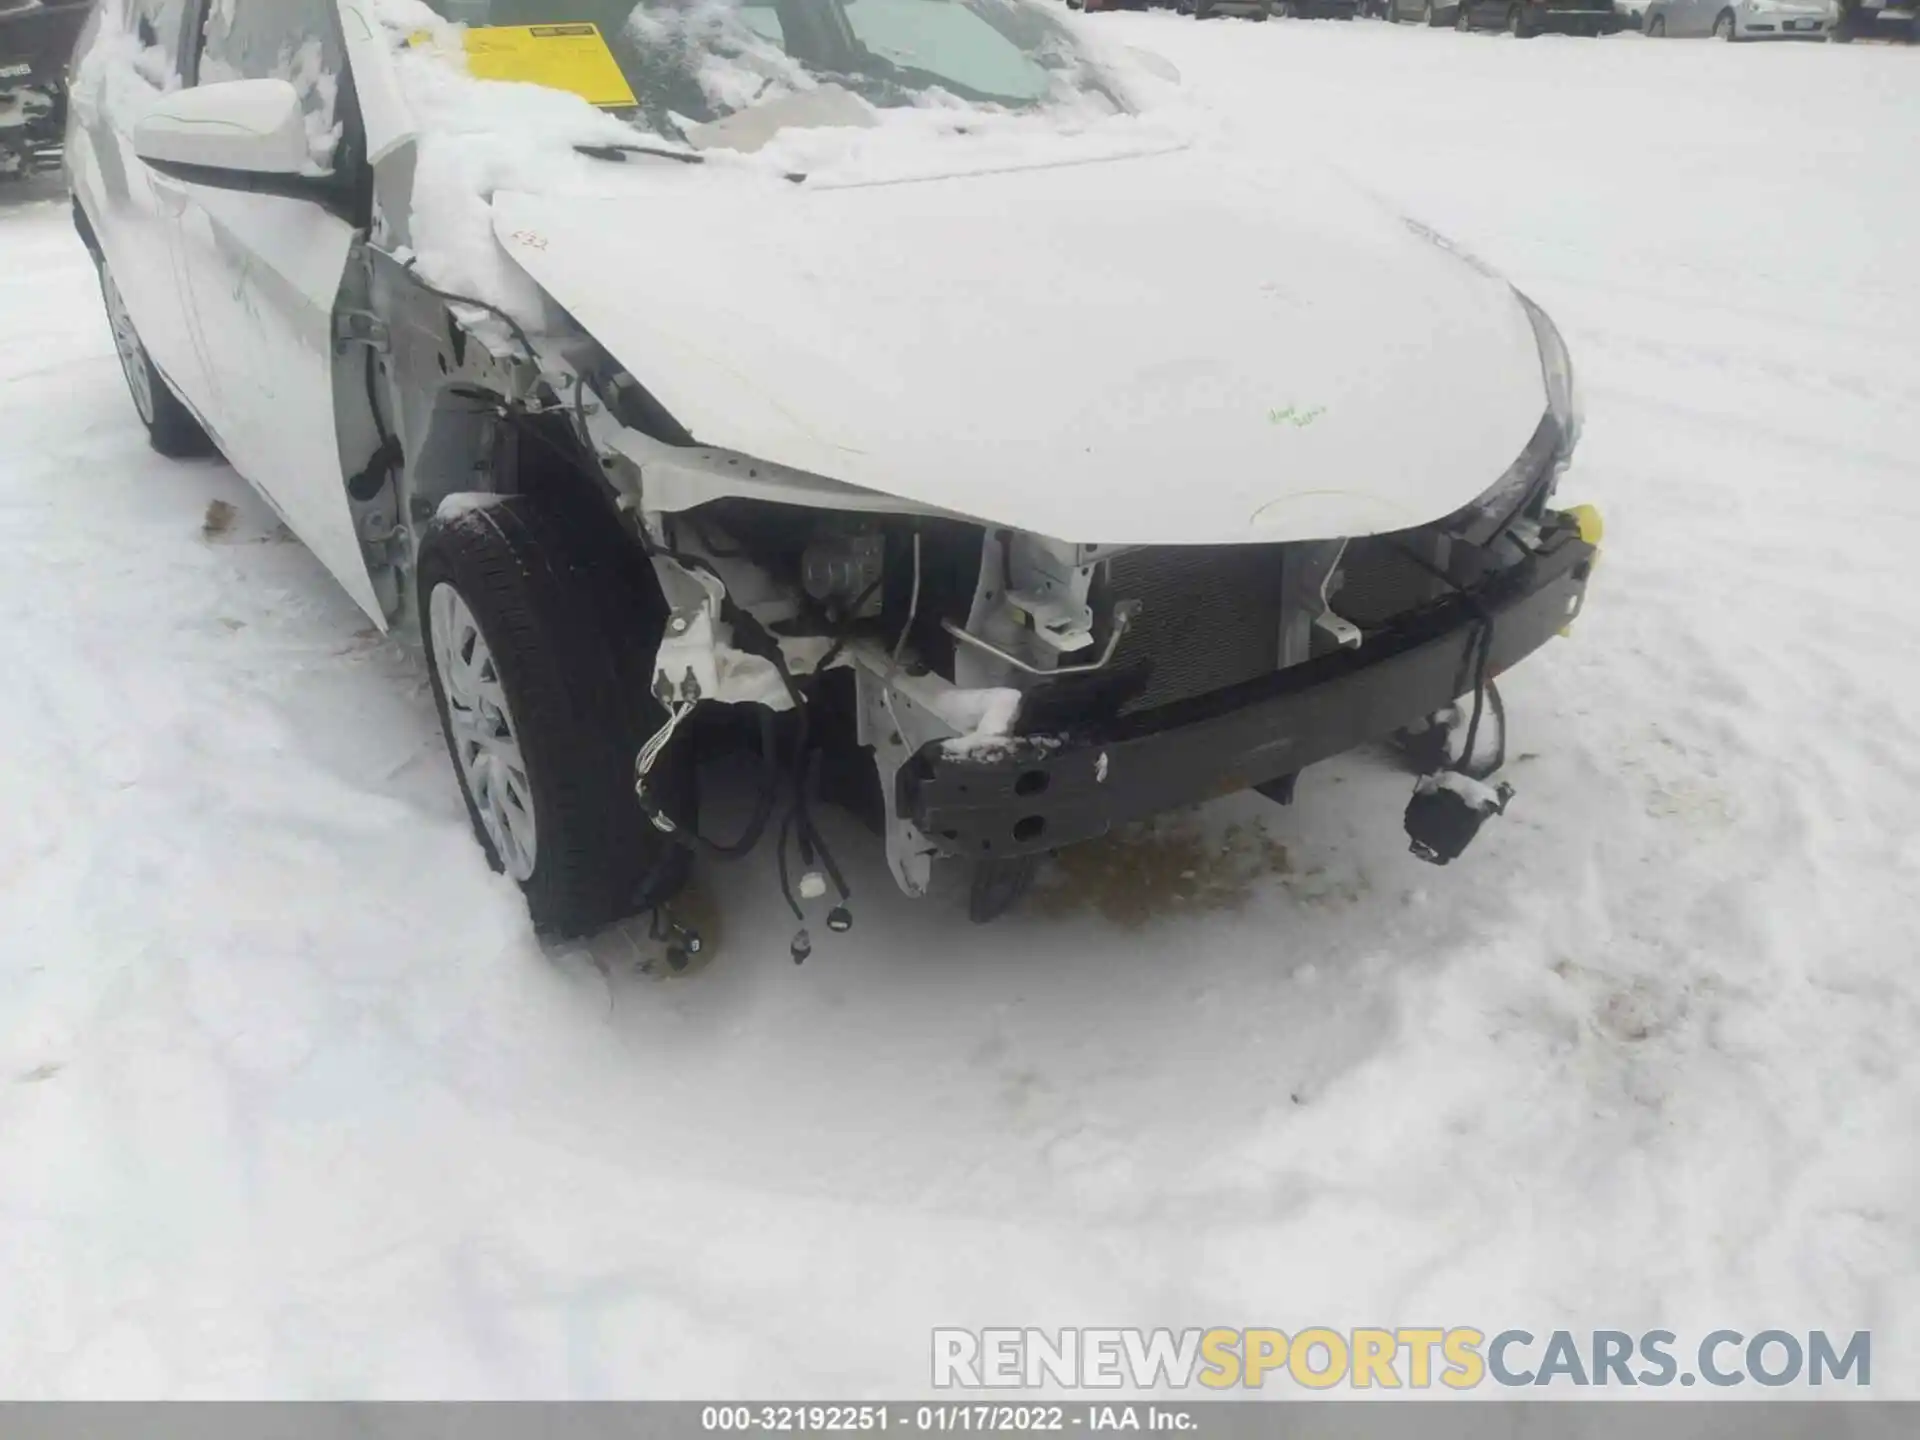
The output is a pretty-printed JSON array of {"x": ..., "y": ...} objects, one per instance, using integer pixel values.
[{"x": 986, "y": 642}]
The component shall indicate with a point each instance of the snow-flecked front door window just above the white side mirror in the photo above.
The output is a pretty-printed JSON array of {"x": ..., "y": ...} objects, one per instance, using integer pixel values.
[{"x": 291, "y": 41}]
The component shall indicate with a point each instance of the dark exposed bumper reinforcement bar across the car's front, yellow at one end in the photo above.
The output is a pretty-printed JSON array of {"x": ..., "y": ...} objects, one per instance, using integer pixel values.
[{"x": 1042, "y": 792}]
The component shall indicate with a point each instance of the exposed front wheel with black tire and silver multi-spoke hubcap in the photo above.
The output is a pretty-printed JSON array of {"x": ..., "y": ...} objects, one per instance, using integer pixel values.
[{"x": 533, "y": 654}]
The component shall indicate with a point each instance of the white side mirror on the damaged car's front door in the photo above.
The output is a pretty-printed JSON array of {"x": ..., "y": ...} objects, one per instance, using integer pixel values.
[{"x": 237, "y": 135}]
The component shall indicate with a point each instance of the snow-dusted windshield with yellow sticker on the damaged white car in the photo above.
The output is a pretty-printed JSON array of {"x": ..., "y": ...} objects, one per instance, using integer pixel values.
[{"x": 704, "y": 60}]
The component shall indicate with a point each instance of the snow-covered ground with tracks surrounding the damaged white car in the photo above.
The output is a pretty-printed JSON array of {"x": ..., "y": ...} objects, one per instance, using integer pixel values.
[{"x": 293, "y": 1105}]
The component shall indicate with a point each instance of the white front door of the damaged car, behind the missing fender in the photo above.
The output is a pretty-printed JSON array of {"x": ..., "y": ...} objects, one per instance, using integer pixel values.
[{"x": 264, "y": 277}]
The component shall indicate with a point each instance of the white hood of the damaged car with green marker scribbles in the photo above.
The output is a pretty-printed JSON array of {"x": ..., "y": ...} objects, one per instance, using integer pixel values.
[{"x": 1147, "y": 350}]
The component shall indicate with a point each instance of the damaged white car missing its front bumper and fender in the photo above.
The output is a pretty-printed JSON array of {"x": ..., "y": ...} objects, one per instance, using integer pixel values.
[{"x": 873, "y": 383}]
